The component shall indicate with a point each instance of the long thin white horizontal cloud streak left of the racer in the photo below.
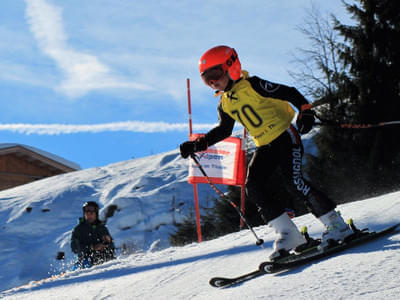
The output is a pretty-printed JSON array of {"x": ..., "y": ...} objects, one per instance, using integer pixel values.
[{"x": 131, "y": 126}]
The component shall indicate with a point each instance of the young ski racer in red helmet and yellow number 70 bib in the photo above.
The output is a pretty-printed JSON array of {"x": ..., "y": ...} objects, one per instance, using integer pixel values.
[{"x": 262, "y": 107}]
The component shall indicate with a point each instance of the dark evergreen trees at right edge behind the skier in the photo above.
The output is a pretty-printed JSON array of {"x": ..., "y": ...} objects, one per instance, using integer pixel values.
[{"x": 354, "y": 163}]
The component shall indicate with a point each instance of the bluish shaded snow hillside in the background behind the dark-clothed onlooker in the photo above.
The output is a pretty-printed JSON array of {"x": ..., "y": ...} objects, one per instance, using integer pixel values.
[{"x": 151, "y": 194}]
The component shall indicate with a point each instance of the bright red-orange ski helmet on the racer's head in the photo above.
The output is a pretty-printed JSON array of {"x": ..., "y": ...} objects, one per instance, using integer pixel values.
[{"x": 224, "y": 56}]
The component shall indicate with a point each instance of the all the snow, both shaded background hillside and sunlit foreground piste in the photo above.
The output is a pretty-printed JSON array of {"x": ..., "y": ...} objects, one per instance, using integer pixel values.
[{"x": 151, "y": 193}]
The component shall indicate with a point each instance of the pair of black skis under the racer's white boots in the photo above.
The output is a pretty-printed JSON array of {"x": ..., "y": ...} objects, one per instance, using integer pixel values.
[{"x": 295, "y": 260}]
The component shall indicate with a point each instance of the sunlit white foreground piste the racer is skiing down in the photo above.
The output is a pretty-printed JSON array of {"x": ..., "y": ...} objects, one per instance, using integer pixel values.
[{"x": 369, "y": 271}]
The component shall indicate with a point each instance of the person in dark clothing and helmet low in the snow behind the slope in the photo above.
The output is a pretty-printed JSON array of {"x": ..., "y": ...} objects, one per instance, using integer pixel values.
[{"x": 90, "y": 239}]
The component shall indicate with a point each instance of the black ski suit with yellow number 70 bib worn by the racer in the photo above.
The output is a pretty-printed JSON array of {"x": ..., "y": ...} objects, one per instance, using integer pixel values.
[{"x": 262, "y": 108}]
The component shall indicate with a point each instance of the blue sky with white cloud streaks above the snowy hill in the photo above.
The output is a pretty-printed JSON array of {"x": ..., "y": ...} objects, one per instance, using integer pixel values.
[{"x": 102, "y": 81}]
